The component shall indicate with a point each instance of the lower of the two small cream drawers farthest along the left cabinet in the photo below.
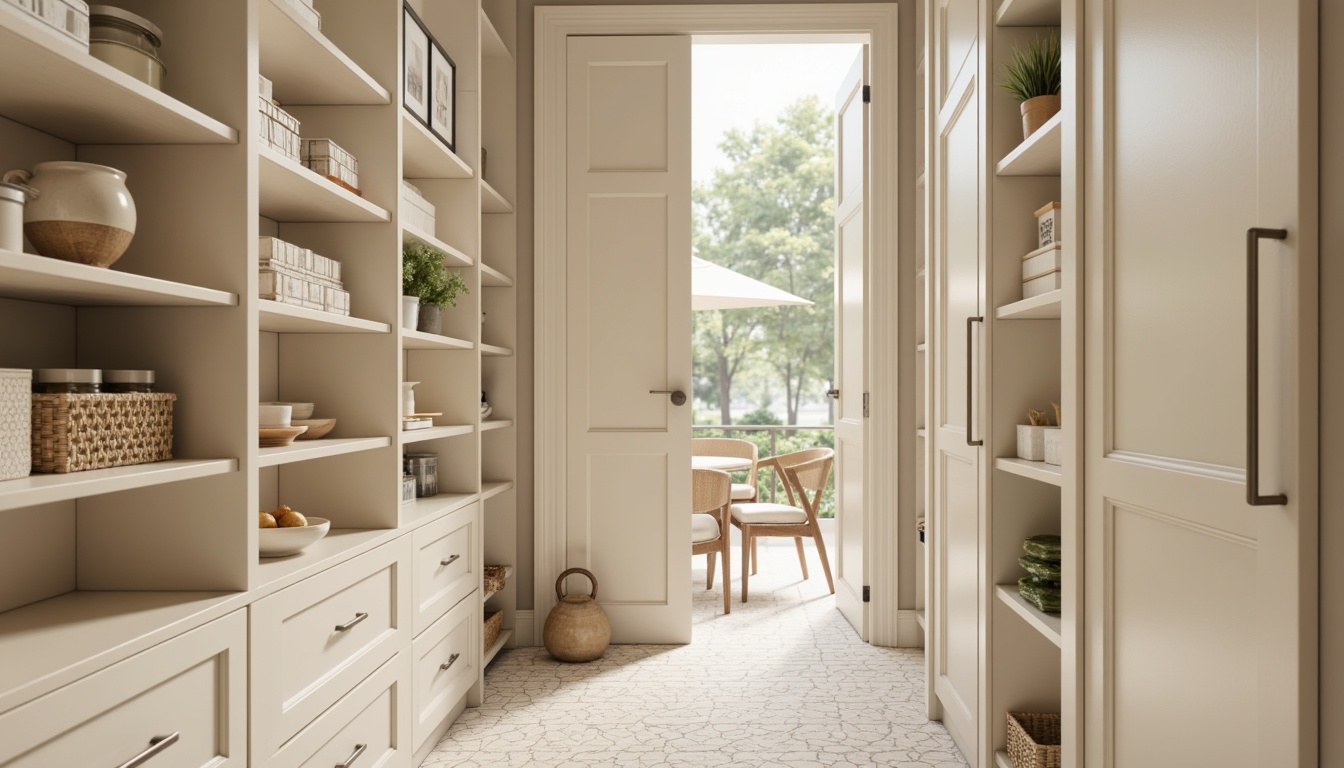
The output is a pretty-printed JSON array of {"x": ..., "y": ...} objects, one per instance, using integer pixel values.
[{"x": 454, "y": 641}]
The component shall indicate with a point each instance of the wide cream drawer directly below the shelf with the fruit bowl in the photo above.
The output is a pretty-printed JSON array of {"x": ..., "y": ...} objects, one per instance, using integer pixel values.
[{"x": 312, "y": 642}]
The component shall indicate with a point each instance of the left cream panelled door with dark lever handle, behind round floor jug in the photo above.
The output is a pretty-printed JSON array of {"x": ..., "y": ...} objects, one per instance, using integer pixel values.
[{"x": 630, "y": 330}]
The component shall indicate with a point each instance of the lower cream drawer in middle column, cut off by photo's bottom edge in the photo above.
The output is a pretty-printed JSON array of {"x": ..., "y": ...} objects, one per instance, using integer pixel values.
[{"x": 372, "y": 716}]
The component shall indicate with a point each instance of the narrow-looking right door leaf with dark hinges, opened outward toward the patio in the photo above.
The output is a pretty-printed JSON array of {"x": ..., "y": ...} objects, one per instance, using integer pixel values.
[{"x": 851, "y": 342}]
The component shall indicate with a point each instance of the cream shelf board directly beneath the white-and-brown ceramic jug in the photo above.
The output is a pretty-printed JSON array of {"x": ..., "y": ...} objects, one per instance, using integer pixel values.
[{"x": 54, "y": 282}]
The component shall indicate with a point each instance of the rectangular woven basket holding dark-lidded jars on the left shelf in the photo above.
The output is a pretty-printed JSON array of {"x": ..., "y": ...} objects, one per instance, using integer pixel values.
[{"x": 77, "y": 432}]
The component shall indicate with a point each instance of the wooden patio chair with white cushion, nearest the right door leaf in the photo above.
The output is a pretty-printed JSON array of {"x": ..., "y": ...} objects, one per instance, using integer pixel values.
[{"x": 804, "y": 474}]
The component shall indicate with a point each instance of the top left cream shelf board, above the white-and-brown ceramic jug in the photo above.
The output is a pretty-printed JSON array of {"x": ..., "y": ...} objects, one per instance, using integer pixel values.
[{"x": 95, "y": 103}]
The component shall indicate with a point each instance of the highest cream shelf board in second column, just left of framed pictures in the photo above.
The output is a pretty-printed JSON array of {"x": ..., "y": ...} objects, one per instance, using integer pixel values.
[{"x": 308, "y": 69}]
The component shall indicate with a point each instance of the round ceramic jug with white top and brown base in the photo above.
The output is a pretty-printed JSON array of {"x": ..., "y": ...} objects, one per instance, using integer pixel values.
[{"x": 83, "y": 213}]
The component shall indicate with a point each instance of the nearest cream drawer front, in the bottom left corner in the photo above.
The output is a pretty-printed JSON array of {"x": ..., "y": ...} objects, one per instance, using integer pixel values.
[{"x": 193, "y": 685}]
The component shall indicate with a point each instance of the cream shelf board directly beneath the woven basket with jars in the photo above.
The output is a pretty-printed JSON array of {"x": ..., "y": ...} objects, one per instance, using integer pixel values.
[{"x": 46, "y": 489}]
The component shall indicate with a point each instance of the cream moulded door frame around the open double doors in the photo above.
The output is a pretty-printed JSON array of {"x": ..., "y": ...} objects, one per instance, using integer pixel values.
[{"x": 877, "y": 24}]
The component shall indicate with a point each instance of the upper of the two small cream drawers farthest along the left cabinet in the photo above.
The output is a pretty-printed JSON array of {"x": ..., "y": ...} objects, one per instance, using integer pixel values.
[{"x": 447, "y": 564}]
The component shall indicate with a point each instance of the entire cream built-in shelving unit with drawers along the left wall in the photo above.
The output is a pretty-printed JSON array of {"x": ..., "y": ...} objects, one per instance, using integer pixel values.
[{"x": 135, "y": 597}]
